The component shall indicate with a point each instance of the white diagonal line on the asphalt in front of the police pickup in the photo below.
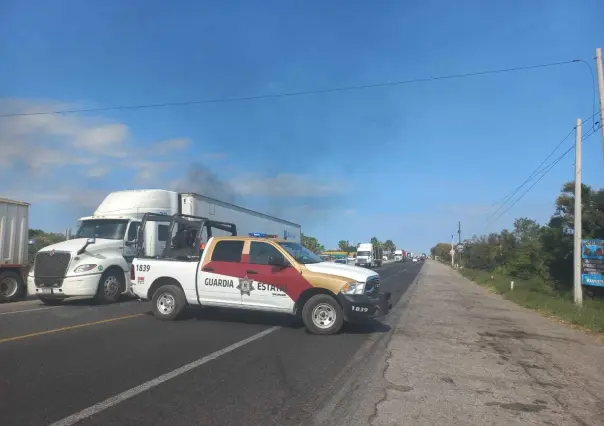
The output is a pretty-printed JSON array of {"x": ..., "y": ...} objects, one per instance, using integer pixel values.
[{"x": 114, "y": 400}]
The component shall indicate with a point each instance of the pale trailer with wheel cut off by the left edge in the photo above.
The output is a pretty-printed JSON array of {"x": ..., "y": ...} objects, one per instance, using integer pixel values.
[{"x": 14, "y": 238}]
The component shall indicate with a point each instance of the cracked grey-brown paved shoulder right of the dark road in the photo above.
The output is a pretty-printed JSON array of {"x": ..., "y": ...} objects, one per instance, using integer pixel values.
[{"x": 461, "y": 355}]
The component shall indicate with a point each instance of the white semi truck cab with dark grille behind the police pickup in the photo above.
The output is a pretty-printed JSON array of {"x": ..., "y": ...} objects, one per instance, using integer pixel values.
[{"x": 96, "y": 262}]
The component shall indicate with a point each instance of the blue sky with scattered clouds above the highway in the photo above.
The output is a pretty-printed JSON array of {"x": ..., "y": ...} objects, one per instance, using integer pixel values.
[{"x": 401, "y": 163}]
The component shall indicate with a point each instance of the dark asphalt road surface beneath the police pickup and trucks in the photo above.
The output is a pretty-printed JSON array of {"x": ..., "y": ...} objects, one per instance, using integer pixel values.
[{"x": 86, "y": 364}]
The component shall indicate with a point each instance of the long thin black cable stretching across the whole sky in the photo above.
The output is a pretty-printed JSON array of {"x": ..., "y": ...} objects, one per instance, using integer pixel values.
[{"x": 293, "y": 94}]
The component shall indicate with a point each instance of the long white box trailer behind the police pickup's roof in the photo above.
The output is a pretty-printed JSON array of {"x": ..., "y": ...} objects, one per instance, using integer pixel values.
[{"x": 247, "y": 221}]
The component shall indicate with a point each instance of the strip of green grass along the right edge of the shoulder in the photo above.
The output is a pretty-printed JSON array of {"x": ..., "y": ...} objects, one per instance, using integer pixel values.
[{"x": 540, "y": 296}]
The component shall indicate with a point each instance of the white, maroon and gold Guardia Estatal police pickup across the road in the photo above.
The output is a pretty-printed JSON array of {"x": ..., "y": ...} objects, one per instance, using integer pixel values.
[{"x": 208, "y": 264}]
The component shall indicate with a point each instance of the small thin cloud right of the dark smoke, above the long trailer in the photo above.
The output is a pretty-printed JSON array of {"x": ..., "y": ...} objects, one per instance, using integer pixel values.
[{"x": 286, "y": 185}]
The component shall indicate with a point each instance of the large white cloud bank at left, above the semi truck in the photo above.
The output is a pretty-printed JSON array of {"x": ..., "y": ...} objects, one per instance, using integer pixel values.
[{"x": 35, "y": 151}]
